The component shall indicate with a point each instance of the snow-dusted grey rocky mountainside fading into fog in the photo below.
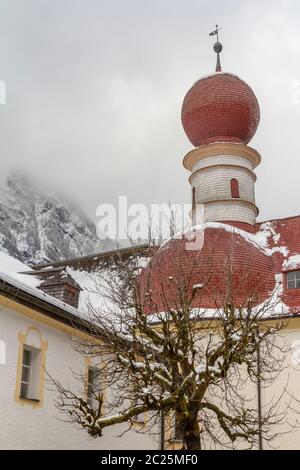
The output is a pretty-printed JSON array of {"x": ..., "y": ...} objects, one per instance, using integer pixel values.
[{"x": 37, "y": 228}]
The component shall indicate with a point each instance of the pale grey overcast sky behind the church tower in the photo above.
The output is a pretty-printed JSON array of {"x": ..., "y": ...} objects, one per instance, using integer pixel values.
[{"x": 94, "y": 91}]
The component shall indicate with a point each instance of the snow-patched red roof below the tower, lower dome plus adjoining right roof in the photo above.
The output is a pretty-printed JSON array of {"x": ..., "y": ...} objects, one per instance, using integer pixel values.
[{"x": 260, "y": 256}]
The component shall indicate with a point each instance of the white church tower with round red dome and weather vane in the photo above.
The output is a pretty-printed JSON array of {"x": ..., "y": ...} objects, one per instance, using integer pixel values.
[{"x": 220, "y": 115}]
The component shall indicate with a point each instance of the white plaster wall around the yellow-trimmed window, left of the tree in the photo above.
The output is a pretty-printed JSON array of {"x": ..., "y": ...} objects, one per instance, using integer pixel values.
[{"x": 25, "y": 427}]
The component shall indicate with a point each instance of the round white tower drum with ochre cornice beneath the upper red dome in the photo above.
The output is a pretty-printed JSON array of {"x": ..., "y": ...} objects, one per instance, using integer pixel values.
[{"x": 213, "y": 167}]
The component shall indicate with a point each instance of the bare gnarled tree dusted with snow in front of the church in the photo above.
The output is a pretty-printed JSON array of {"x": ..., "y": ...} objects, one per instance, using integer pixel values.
[{"x": 159, "y": 352}]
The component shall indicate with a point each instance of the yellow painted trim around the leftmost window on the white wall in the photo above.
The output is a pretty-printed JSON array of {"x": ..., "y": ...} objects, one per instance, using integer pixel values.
[{"x": 42, "y": 345}]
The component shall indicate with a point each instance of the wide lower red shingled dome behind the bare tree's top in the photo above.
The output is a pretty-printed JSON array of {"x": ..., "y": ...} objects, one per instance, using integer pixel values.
[{"x": 223, "y": 254}]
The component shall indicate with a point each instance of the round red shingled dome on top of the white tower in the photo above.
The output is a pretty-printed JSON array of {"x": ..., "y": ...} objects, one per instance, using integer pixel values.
[{"x": 220, "y": 108}]
